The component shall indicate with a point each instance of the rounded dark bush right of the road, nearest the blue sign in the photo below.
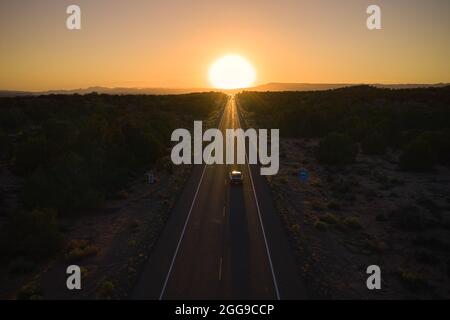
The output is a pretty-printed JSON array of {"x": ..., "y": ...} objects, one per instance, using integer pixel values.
[{"x": 336, "y": 149}]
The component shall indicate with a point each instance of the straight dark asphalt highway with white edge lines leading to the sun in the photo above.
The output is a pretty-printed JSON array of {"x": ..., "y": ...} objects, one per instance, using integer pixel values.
[{"x": 222, "y": 241}]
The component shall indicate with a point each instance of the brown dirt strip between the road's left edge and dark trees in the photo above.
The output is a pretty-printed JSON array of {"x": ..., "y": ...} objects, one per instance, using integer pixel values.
[{"x": 121, "y": 237}]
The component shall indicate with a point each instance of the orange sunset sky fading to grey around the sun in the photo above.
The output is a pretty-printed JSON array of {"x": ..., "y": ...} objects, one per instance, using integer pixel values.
[{"x": 144, "y": 43}]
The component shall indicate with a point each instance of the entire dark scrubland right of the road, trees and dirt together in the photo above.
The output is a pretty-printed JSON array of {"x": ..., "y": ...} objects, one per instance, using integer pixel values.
[{"x": 379, "y": 179}]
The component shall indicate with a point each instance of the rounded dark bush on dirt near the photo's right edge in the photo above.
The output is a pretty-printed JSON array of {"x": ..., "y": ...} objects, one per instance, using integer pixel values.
[{"x": 417, "y": 156}]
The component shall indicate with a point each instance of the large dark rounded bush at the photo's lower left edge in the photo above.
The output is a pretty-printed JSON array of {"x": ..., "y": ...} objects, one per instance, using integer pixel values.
[{"x": 33, "y": 234}]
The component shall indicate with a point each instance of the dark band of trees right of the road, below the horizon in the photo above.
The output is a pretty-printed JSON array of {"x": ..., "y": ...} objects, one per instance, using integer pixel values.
[{"x": 362, "y": 119}]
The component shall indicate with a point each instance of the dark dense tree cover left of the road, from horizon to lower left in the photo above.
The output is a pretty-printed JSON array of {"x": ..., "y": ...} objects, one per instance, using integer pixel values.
[{"x": 65, "y": 155}]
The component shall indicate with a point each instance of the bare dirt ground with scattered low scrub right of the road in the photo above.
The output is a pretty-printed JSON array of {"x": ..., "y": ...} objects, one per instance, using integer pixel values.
[{"x": 343, "y": 220}]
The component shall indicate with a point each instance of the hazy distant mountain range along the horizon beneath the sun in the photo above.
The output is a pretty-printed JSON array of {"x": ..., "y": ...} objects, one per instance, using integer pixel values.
[{"x": 273, "y": 86}]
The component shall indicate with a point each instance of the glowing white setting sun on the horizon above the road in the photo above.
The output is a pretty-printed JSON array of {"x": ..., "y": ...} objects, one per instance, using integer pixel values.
[{"x": 232, "y": 72}]
